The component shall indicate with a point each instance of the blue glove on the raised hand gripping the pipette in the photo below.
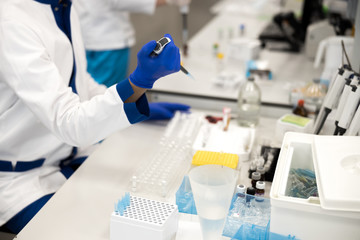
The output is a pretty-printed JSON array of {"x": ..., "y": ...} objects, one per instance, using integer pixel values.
[{"x": 149, "y": 69}]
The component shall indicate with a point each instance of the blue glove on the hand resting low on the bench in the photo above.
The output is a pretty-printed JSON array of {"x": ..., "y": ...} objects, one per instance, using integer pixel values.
[{"x": 165, "y": 110}]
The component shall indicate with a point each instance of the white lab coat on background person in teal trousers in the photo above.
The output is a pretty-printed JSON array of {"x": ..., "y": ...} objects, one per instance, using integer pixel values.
[{"x": 106, "y": 25}]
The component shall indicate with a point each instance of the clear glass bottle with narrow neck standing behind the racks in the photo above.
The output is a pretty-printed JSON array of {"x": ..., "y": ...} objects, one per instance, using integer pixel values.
[{"x": 249, "y": 101}]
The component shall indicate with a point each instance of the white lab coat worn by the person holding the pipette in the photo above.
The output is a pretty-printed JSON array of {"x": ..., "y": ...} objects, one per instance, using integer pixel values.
[{"x": 40, "y": 116}]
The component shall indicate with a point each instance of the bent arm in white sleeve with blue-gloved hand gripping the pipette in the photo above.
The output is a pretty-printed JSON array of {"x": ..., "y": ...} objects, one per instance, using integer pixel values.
[{"x": 28, "y": 69}]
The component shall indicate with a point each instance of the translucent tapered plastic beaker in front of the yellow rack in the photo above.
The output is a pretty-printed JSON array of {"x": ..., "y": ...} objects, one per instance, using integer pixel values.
[{"x": 213, "y": 187}]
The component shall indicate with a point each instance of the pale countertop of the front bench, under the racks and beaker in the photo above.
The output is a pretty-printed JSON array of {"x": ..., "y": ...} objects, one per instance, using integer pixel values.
[{"x": 81, "y": 208}]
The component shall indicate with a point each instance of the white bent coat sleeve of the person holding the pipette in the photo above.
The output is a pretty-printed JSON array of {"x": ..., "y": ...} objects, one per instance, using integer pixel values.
[{"x": 28, "y": 70}]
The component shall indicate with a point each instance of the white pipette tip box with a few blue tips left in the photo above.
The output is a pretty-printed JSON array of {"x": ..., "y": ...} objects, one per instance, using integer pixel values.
[{"x": 143, "y": 218}]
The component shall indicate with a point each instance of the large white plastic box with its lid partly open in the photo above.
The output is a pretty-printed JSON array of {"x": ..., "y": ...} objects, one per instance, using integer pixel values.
[{"x": 335, "y": 214}]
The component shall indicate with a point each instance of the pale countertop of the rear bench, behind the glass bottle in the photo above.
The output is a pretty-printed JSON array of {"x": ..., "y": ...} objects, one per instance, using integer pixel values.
[{"x": 288, "y": 69}]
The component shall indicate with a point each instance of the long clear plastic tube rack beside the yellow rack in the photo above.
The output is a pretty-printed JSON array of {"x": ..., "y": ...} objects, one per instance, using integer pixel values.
[{"x": 171, "y": 160}]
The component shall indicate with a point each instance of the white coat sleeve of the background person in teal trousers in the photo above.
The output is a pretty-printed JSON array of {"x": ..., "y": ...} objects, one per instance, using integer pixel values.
[{"x": 135, "y": 6}]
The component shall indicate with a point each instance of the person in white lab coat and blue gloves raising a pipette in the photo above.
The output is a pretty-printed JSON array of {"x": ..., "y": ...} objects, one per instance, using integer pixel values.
[{"x": 50, "y": 107}]
